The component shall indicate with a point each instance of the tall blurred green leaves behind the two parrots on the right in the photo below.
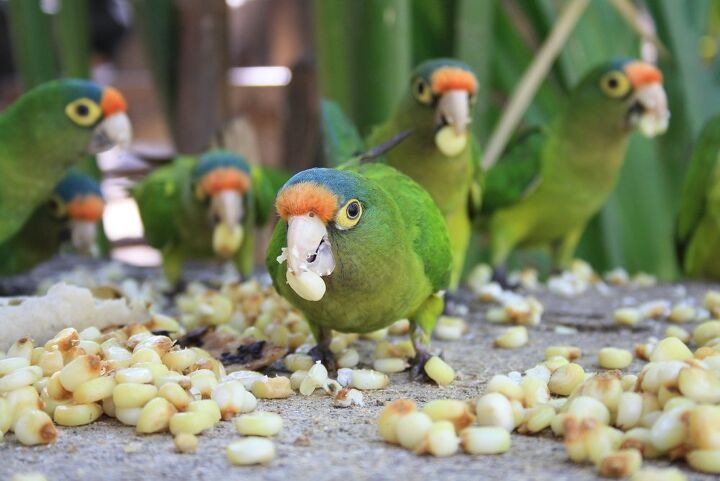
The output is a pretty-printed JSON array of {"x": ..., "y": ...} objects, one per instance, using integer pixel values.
[{"x": 499, "y": 39}]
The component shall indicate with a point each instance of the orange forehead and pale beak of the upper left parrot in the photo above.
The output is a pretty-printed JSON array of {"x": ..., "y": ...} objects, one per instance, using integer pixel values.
[{"x": 115, "y": 129}]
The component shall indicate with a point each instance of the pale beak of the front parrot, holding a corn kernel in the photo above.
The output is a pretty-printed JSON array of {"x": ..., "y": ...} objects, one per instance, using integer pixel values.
[{"x": 308, "y": 255}]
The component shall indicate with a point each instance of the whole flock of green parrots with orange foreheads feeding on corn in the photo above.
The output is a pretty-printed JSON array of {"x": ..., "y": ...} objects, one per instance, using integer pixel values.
[{"x": 369, "y": 239}]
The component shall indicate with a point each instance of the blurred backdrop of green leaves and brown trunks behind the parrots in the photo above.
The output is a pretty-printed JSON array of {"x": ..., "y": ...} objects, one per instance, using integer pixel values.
[{"x": 360, "y": 53}]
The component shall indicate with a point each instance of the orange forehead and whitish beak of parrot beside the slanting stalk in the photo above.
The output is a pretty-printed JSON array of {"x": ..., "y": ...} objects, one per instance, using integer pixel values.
[{"x": 648, "y": 108}]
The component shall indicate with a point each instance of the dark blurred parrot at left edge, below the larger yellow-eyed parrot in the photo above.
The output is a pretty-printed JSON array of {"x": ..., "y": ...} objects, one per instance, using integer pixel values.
[{"x": 76, "y": 204}]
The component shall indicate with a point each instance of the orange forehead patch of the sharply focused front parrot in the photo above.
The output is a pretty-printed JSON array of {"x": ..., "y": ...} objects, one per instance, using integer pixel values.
[{"x": 304, "y": 198}]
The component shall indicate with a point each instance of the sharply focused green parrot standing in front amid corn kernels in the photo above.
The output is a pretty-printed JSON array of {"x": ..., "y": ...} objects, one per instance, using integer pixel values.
[{"x": 358, "y": 248}]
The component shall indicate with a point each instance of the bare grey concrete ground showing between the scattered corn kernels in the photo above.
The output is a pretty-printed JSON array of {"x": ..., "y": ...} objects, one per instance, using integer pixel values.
[{"x": 320, "y": 442}]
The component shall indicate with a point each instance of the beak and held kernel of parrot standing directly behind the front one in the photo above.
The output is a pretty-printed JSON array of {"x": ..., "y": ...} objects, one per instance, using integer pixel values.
[{"x": 452, "y": 117}]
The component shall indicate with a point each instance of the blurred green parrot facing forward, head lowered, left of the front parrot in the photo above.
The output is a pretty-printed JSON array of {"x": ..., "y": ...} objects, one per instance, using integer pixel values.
[{"x": 204, "y": 208}]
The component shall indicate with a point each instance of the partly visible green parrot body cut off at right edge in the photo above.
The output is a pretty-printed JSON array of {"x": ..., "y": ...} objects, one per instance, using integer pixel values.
[{"x": 698, "y": 222}]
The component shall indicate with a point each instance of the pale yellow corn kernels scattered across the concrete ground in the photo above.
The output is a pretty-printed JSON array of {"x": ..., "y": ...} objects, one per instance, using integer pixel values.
[{"x": 462, "y": 429}]
